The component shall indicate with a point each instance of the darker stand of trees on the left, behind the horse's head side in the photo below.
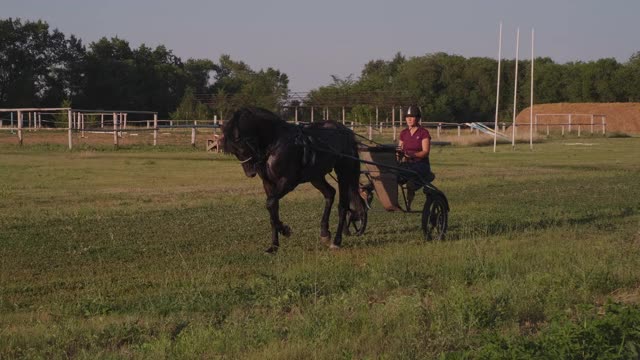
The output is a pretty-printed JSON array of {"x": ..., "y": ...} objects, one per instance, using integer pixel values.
[{"x": 40, "y": 67}]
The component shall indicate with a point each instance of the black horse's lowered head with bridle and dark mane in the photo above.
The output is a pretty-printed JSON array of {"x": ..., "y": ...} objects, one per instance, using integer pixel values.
[{"x": 247, "y": 136}]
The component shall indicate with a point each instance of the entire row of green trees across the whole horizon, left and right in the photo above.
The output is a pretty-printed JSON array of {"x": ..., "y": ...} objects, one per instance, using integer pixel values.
[{"x": 40, "y": 67}]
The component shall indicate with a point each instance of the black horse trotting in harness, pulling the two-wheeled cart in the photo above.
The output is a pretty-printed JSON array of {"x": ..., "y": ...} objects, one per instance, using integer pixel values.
[{"x": 285, "y": 155}]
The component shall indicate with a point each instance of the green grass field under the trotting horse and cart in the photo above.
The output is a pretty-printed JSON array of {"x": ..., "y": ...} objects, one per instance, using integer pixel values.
[{"x": 147, "y": 253}]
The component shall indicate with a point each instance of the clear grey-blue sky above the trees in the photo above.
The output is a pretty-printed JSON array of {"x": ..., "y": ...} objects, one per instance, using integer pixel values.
[{"x": 312, "y": 40}]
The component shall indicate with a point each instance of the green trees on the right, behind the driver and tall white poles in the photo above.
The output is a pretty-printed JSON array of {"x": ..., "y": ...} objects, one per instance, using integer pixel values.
[{"x": 452, "y": 88}]
